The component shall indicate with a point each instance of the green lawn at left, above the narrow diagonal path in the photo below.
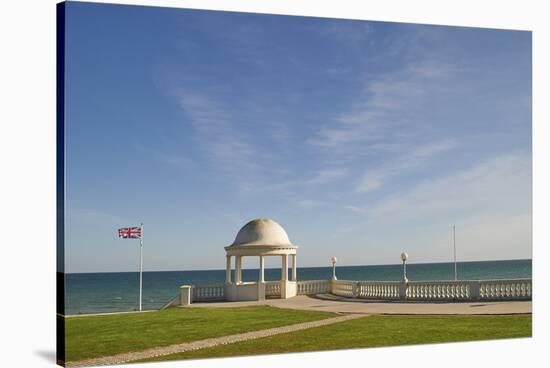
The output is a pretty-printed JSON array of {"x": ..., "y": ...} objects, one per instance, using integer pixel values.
[{"x": 95, "y": 336}]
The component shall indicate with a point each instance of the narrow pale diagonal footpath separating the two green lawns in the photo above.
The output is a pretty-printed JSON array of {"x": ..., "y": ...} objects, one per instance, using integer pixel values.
[{"x": 207, "y": 343}]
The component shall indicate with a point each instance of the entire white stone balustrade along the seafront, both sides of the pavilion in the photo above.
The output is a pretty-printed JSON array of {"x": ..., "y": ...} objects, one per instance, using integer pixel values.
[{"x": 455, "y": 291}]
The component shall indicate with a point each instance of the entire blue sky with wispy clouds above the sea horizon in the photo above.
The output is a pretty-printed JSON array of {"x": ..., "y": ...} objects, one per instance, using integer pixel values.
[{"x": 362, "y": 139}]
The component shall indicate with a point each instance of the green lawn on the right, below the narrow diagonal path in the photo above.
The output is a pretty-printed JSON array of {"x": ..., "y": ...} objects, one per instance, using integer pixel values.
[{"x": 373, "y": 331}]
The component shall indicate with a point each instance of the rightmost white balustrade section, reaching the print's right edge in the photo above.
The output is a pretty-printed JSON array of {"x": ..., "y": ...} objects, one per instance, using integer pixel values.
[{"x": 505, "y": 289}]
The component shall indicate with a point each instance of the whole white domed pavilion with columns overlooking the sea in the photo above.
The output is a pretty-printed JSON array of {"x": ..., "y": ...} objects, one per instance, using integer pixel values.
[{"x": 260, "y": 238}]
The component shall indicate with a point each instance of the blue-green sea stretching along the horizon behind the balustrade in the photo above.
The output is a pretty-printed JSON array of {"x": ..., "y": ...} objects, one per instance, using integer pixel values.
[{"x": 119, "y": 291}]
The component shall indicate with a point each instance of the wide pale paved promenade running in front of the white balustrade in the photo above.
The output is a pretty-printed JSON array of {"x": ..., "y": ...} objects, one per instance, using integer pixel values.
[{"x": 330, "y": 303}]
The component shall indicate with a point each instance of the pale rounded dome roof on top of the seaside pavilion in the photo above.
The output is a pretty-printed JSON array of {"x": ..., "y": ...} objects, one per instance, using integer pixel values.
[{"x": 262, "y": 232}]
